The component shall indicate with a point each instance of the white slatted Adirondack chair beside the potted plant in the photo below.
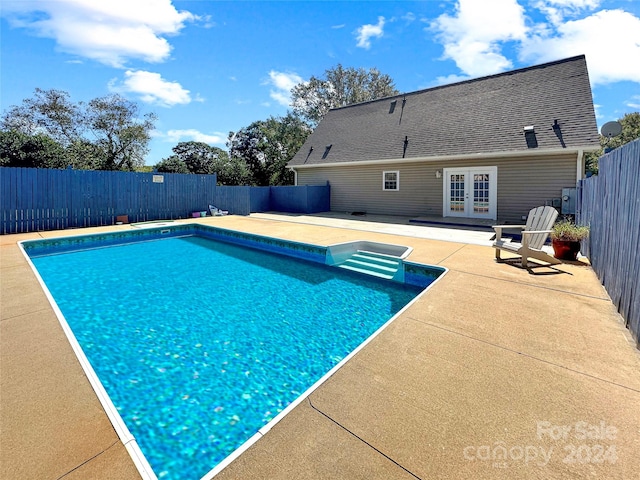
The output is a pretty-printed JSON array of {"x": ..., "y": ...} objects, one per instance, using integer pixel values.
[{"x": 534, "y": 234}]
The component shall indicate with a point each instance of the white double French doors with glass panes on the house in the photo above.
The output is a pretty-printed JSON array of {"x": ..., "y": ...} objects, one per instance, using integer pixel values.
[{"x": 470, "y": 192}]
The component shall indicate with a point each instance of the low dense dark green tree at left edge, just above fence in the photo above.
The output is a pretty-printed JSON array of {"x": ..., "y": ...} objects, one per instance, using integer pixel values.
[{"x": 39, "y": 151}]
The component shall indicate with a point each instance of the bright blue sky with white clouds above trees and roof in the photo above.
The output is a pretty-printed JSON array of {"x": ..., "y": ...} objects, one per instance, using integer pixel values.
[{"x": 208, "y": 67}]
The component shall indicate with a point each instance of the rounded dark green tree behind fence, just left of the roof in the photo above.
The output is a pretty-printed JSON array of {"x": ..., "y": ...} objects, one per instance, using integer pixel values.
[{"x": 266, "y": 146}]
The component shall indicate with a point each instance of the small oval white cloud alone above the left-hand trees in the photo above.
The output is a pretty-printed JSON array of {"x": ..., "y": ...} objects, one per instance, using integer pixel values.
[{"x": 151, "y": 88}]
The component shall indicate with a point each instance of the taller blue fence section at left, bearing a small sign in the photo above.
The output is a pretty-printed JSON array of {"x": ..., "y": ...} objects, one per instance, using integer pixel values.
[{"x": 48, "y": 199}]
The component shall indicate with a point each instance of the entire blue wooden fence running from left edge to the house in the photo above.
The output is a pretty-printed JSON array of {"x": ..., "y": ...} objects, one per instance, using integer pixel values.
[{"x": 33, "y": 199}]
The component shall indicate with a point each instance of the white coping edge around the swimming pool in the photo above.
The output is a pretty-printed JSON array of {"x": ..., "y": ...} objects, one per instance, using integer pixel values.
[{"x": 123, "y": 432}]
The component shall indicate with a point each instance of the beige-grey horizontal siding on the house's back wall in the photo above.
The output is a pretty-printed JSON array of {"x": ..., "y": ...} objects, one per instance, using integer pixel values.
[{"x": 522, "y": 185}]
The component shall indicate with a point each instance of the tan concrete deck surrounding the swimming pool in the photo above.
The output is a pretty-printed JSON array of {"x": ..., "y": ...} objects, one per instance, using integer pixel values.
[{"x": 497, "y": 372}]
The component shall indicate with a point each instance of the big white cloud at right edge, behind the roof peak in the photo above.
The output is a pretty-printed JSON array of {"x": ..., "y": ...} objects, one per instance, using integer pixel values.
[{"x": 610, "y": 39}]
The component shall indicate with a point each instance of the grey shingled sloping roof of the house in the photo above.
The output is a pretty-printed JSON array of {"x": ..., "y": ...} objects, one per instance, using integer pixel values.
[{"x": 477, "y": 116}]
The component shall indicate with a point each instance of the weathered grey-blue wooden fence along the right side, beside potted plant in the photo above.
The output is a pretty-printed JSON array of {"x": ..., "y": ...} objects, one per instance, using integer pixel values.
[{"x": 610, "y": 204}]
